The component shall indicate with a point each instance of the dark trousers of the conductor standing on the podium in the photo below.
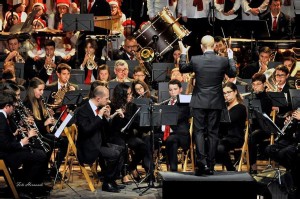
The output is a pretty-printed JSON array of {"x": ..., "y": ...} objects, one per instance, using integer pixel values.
[{"x": 205, "y": 135}]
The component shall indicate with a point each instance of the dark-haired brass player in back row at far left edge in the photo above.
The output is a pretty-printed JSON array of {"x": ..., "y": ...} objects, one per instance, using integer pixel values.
[{"x": 13, "y": 52}]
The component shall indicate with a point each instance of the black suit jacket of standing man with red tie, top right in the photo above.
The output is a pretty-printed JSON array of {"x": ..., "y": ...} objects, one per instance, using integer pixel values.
[{"x": 284, "y": 26}]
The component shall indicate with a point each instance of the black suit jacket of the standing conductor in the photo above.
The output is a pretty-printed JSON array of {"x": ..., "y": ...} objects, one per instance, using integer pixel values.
[{"x": 209, "y": 69}]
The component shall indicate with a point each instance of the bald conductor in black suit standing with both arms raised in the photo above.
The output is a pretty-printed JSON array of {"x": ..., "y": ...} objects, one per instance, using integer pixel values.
[{"x": 207, "y": 99}]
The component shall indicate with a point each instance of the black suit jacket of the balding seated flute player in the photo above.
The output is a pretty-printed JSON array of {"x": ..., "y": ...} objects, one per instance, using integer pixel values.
[{"x": 90, "y": 127}]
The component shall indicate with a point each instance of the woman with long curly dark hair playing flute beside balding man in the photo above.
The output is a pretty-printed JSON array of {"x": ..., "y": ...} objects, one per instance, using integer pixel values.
[{"x": 121, "y": 103}]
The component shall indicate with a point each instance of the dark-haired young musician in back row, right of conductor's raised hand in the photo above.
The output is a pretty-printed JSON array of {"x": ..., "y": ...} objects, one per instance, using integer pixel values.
[{"x": 260, "y": 66}]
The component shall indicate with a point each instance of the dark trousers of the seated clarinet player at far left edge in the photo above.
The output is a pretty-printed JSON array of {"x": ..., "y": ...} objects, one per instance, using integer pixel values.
[{"x": 31, "y": 162}]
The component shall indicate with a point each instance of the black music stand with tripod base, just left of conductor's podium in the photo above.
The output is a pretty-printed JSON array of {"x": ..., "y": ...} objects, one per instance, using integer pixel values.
[{"x": 156, "y": 116}]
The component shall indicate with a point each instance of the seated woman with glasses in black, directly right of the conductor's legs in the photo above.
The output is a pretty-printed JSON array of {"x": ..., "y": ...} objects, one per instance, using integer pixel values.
[{"x": 232, "y": 133}]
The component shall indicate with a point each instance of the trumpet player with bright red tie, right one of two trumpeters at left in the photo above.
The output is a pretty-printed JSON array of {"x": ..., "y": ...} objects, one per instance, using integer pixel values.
[{"x": 91, "y": 61}]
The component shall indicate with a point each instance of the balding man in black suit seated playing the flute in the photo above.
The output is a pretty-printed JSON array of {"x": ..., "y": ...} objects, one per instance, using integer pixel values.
[{"x": 92, "y": 121}]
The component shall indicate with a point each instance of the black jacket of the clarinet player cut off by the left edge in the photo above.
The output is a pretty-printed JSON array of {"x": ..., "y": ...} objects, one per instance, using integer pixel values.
[{"x": 8, "y": 143}]
